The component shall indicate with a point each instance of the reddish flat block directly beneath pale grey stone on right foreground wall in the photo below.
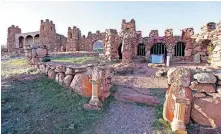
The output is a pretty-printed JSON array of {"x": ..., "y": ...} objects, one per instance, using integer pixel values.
[{"x": 203, "y": 87}]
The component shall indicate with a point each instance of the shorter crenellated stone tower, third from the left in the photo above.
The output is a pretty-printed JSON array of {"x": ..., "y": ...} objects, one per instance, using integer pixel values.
[{"x": 73, "y": 41}]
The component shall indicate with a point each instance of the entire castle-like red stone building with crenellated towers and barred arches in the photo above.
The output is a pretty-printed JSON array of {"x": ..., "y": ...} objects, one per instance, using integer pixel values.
[{"x": 183, "y": 48}]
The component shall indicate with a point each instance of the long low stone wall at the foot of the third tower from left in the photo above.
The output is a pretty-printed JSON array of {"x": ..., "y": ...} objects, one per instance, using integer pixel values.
[{"x": 76, "y": 53}]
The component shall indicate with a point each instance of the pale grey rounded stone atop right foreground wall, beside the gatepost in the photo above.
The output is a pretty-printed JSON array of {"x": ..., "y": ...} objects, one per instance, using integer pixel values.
[{"x": 205, "y": 78}]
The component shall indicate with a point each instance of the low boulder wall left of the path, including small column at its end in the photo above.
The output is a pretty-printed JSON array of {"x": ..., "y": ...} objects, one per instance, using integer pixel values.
[{"x": 88, "y": 80}]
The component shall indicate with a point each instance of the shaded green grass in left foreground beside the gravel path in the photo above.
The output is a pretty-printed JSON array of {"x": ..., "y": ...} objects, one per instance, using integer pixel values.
[{"x": 43, "y": 106}]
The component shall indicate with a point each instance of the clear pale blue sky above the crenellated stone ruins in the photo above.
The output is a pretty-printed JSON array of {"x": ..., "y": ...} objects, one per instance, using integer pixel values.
[{"x": 92, "y": 16}]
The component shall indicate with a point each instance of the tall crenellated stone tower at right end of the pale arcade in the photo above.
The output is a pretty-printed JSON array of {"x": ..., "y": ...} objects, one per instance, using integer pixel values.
[{"x": 48, "y": 34}]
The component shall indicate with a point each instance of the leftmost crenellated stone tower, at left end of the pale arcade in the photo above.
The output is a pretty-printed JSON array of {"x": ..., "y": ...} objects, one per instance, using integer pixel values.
[{"x": 11, "y": 37}]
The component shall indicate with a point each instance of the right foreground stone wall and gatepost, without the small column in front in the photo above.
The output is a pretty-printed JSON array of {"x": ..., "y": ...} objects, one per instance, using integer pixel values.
[{"x": 204, "y": 93}]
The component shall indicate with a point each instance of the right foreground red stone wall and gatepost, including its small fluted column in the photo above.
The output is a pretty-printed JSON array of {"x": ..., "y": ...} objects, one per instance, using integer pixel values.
[{"x": 192, "y": 94}]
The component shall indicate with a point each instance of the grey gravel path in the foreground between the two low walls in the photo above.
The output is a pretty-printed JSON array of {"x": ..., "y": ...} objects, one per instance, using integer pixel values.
[{"x": 127, "y": 118}]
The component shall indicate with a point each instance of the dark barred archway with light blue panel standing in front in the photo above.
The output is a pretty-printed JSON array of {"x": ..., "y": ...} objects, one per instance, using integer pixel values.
[{"x": 158, "y": 53}]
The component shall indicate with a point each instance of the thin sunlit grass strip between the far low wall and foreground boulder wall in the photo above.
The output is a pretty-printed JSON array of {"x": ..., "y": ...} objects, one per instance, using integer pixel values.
[{"x": 76, "y": 60}]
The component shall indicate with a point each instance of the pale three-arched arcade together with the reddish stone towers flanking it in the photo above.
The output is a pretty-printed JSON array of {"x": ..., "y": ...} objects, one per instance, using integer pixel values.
[{"x": 46, "y": 36}]
